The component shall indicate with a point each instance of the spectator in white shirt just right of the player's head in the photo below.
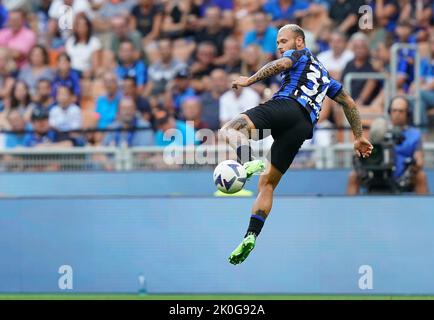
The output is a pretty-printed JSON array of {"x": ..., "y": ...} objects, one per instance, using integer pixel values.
[{"x": 336, "y": 58}]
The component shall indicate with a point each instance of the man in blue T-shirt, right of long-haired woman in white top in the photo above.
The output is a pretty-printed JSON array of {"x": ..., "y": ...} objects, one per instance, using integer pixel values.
[{"x": 129, "y": 66}]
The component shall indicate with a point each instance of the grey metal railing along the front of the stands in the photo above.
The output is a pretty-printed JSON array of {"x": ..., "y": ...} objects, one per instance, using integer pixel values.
[{"x": 163, "y": 158}]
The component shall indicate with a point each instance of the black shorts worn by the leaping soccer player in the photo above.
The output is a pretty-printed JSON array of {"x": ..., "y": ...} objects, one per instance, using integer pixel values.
[{"x": 290, "y": 126}]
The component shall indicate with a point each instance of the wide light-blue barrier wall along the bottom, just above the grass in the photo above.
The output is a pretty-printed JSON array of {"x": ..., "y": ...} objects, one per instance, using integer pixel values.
[{"x": 181, "y": 245}]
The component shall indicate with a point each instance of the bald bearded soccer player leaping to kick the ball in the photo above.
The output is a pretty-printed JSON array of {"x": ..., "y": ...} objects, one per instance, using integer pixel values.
[{"x": 290, "y": 116}]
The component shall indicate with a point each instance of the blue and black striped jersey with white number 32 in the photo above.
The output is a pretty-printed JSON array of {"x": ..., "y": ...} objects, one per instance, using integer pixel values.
[{"x": 307, "y": 81}]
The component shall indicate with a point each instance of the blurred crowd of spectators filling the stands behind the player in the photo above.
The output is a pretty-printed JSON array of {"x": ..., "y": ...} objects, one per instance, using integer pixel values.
[{"x": 134, "y": 68}]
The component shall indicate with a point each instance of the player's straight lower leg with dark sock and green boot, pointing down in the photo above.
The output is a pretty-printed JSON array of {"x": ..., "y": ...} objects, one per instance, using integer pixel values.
[{"x": 261, "y": 208}]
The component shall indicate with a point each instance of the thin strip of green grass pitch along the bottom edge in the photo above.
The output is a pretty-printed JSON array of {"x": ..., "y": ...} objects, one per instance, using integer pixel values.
[{"x": 69, "y": 296}]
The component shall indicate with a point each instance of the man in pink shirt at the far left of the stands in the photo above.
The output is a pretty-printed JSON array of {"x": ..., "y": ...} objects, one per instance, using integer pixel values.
[{"x": 17, "y": 38}]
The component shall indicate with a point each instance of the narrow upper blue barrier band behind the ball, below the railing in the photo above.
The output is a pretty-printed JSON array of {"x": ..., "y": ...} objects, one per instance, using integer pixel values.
[{"x": 193, "y": 183}]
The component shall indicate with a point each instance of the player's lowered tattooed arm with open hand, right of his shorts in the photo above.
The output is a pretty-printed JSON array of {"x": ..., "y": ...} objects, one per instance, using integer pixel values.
[{"x": 361, "y": 145}]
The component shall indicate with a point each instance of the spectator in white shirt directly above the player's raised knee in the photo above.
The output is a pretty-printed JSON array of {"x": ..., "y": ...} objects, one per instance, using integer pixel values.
[{"x": 233, "y": 102}]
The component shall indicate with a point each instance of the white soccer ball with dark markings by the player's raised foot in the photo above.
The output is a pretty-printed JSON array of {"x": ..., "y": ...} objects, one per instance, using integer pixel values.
[{"x": 230, "y": 176}]
